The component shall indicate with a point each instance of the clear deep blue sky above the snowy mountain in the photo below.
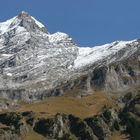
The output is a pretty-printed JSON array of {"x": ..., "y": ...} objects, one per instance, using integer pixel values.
[{"x": 89, "y": 22}]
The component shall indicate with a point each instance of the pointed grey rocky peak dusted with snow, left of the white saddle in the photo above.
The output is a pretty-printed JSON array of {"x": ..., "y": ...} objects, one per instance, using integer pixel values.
[{"x": 25, "y": 44}]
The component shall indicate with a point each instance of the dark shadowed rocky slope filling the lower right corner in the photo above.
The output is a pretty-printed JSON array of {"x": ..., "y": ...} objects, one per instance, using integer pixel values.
[{"x": 130, "y": 116}]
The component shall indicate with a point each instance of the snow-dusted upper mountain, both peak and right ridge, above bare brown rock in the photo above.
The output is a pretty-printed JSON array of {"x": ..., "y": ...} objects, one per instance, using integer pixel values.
[{"x": 33, "y": 59}]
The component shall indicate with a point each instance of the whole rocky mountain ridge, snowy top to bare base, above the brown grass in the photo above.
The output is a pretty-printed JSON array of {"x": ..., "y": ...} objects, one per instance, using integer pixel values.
[{"x": 35, "y": 64}]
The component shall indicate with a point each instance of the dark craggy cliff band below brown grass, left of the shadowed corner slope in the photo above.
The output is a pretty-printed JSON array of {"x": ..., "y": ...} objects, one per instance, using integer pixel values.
[{"x": 60, "y": 127}]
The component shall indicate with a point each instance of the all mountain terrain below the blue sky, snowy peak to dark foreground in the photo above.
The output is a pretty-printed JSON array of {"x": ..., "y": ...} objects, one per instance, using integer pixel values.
[{"x": 52, "y": 89}]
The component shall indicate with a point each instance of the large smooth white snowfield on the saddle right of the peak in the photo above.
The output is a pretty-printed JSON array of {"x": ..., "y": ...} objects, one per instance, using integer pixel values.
[{"x": 89, "y": 55}]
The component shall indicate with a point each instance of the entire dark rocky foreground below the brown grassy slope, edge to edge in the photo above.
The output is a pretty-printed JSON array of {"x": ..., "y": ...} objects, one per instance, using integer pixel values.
[{"x": 27, "y": 124}]
